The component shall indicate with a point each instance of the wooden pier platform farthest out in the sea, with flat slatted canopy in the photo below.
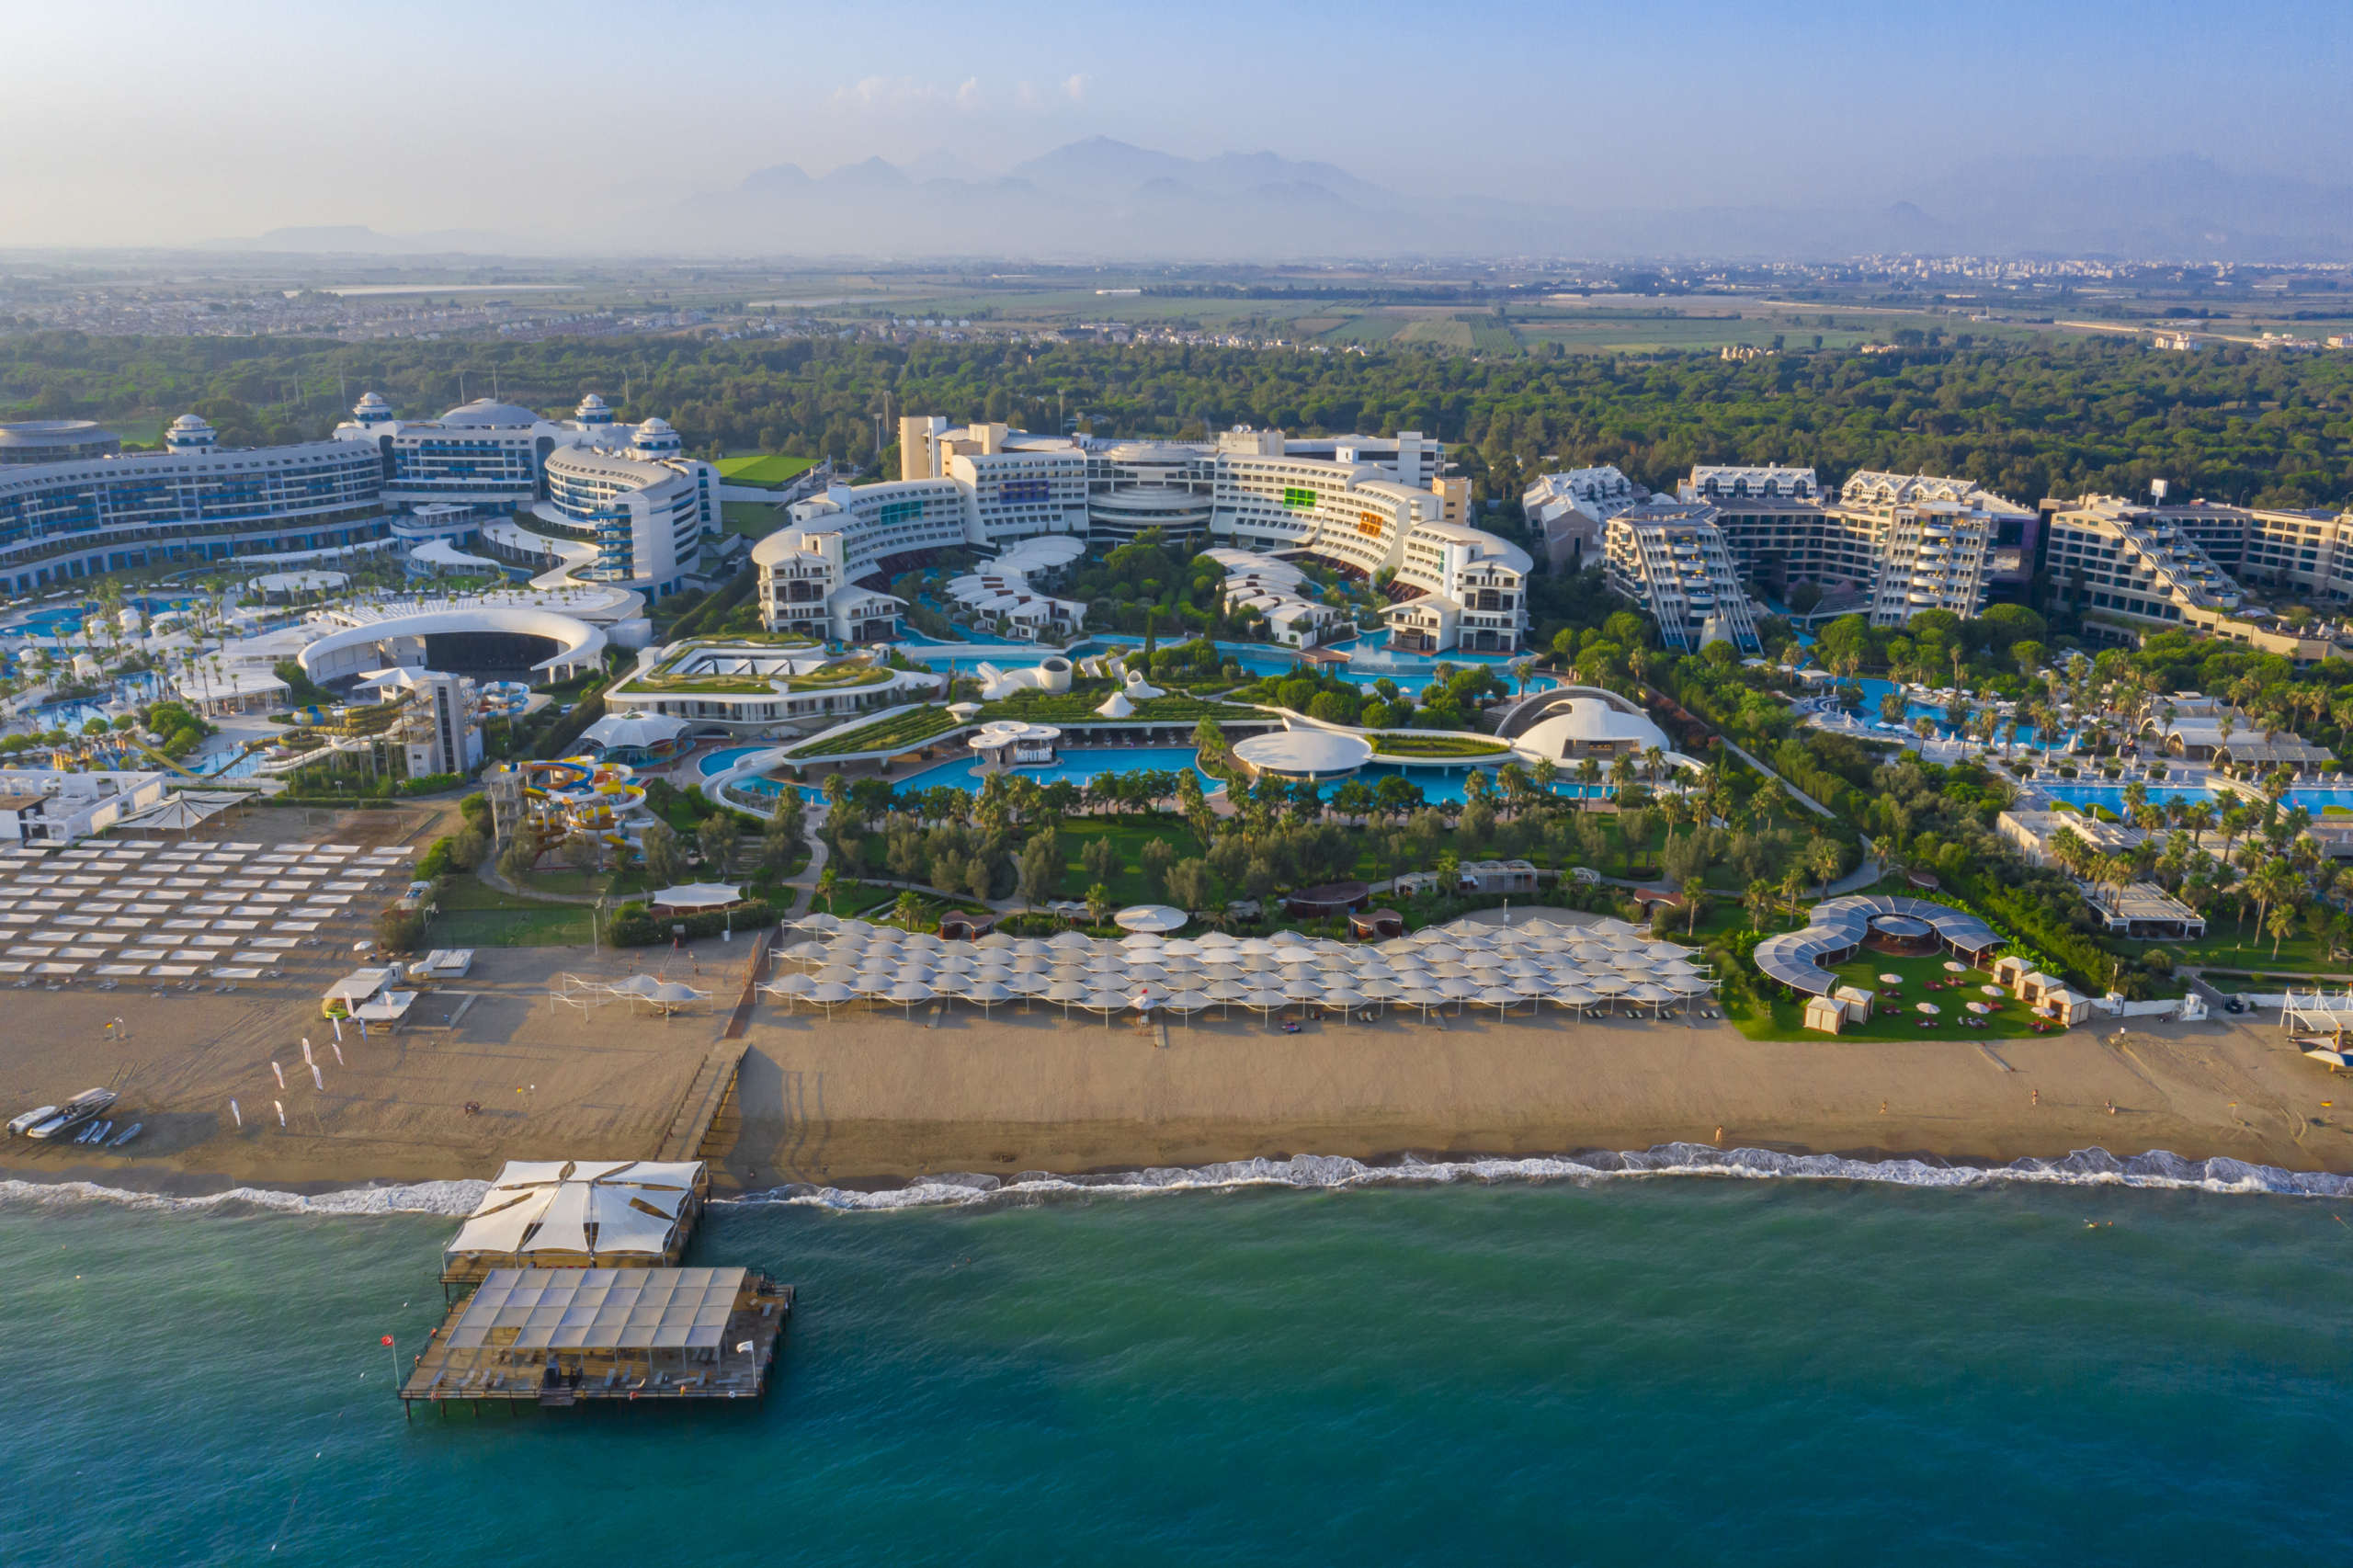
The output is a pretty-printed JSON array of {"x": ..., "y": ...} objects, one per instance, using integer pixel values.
[{"x": 575, "y": 1336}]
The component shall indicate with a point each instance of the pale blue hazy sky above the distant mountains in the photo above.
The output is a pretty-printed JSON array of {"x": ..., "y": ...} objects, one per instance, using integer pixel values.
[{"x": 166, "y": 124}]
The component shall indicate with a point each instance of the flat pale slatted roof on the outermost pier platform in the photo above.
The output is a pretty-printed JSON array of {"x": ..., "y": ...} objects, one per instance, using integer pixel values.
[{"x": 601, "y": 1310}]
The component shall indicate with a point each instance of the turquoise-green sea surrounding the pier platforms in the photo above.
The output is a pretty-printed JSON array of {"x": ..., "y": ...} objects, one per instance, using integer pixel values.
[{"x": 1660, "y": 1360}]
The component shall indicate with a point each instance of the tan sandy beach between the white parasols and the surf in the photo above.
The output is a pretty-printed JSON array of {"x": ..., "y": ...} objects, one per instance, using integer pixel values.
[{"x": 874, "y": 1096}]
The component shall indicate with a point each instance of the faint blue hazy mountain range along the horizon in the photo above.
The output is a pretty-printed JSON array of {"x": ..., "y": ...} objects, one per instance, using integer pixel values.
[{"x": 1114, "y": 201}]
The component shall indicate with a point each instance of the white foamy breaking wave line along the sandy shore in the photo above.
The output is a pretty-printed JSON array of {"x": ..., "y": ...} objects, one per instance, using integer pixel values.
[{"x": 1307, "y": 1174}]
